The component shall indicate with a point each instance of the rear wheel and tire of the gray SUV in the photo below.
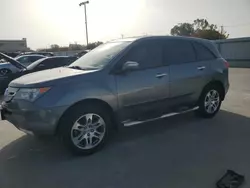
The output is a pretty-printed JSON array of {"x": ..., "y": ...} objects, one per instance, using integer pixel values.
[{"x": 210, "y": 101}]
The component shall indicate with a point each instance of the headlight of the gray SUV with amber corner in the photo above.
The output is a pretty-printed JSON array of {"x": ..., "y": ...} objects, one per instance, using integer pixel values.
[{"x": 30, "y": 94}]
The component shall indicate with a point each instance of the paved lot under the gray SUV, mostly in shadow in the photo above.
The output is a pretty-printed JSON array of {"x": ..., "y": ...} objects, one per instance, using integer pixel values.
[{"x": 176, "y": 152}]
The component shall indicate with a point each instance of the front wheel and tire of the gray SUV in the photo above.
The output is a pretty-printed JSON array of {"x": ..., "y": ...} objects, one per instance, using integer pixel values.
[{"x": 84, "y": 123}]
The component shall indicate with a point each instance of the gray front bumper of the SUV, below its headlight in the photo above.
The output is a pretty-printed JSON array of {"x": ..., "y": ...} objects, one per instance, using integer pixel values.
[{"x": 29, "y": 118}]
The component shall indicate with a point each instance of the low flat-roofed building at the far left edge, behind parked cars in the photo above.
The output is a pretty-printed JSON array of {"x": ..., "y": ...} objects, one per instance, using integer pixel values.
[{"x": 13, "y": 45}]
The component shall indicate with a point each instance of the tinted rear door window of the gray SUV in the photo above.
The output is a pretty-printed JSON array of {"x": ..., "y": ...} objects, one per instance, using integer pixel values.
[{"x": 178, "y": 52}]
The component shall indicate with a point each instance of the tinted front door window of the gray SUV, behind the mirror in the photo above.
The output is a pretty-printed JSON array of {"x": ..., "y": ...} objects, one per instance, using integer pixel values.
[{"x": 147, "y": 54}]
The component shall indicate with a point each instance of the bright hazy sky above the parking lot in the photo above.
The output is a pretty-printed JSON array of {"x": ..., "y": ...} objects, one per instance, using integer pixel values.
[{"x": 46, "y": 22}]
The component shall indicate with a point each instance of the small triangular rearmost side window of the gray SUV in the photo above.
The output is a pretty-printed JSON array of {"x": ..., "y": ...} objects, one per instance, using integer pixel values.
[{"x": 202, "y": 52}]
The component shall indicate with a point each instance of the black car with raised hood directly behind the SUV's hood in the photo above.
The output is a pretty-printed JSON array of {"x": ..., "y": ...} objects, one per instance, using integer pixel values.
[{"x": 39, "y": 65}]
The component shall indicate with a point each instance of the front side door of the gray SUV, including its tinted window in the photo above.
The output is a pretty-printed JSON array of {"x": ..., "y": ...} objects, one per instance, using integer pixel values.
[{"x": 143, "y": 91}]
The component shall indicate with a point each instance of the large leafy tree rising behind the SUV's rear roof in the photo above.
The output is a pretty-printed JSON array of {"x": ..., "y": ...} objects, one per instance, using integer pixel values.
[{"x": 199, "y": 28}]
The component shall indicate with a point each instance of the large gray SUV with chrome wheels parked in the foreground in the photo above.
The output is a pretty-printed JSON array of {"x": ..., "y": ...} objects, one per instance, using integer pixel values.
[{"x": 117, "y": 83}]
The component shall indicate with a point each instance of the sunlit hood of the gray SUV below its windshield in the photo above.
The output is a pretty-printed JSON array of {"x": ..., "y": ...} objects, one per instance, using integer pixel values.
[{"x": 48, "y": 77}]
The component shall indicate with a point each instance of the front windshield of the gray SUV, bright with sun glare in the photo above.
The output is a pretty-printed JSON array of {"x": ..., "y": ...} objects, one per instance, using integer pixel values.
[{"x": 100, "y": 56}]
